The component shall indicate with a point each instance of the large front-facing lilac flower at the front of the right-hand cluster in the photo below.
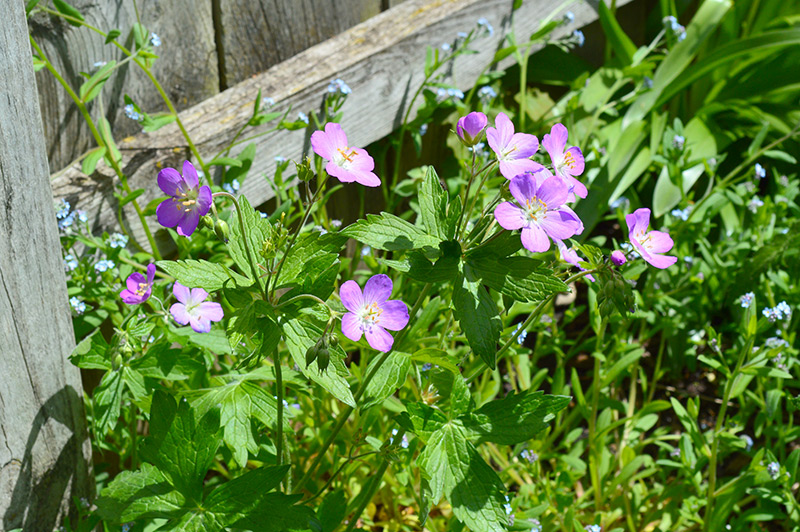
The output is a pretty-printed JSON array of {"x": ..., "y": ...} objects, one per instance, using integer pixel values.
[{"x": 540, "y": 211}]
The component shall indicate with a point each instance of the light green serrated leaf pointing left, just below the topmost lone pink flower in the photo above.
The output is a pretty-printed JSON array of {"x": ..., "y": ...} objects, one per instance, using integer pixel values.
[{"x": 389, "y": 233}]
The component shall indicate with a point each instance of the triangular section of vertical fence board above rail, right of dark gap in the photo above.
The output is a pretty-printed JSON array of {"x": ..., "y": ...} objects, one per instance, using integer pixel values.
[{"x": 257, "y": 34}]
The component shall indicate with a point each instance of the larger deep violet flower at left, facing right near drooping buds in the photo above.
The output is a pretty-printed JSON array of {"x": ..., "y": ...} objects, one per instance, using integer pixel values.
[{"x": 189, "y": 200}]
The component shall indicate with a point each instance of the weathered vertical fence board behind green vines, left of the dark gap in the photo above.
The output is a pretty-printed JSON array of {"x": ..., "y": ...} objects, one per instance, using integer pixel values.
[{"x": 187, "y": 70}]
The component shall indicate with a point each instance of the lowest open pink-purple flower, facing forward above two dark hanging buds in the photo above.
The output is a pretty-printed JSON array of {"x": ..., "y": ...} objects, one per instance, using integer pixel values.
[{"x": 371, "y": 313}]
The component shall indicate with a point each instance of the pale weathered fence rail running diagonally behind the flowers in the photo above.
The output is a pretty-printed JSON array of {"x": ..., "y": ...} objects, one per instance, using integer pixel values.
[{"x": 381, "y": 59}]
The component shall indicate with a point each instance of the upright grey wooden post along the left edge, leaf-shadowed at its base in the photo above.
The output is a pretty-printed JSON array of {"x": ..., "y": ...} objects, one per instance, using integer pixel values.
[{"x": 44, "y": 449}]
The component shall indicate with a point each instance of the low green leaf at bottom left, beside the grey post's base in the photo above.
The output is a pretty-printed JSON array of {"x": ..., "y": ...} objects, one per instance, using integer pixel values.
[{"x": 143, "y": 494}]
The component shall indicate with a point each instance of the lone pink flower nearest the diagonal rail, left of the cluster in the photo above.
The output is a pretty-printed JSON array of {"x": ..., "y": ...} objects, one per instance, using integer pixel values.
[{"x": 346, "y": 163}]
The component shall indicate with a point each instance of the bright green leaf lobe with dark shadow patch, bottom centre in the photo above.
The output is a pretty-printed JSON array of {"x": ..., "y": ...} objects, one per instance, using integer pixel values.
[{"x": 454, "y": 468}]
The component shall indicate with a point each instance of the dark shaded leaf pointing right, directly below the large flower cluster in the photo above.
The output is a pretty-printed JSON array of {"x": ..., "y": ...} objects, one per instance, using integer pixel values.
[{"x": 520, "y": 278}]
